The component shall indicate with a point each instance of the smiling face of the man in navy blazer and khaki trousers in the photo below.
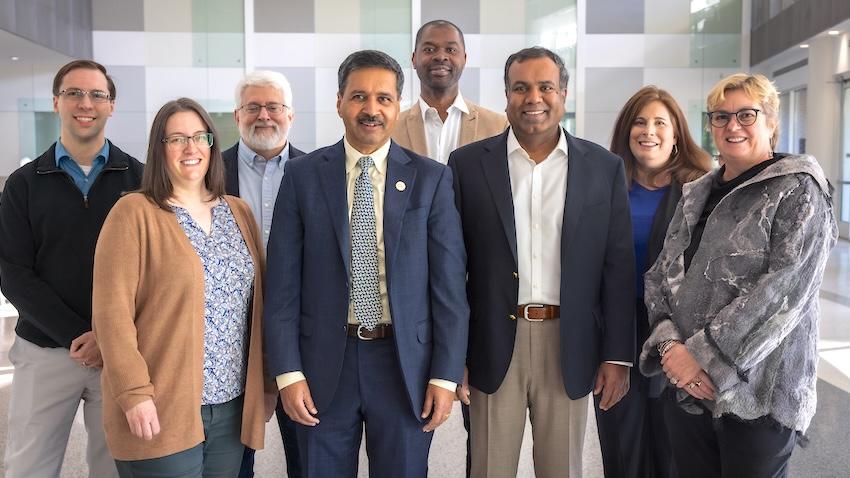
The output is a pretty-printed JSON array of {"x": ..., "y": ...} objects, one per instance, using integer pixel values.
[{"x": 535, "y": 98}]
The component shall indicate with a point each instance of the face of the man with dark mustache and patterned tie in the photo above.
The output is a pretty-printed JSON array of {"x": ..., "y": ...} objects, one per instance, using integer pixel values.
[{"x": 368, "y": 107}]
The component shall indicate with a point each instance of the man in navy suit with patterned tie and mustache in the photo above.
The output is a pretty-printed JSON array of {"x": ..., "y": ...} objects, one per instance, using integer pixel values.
[{"x": 366, "y": 316}]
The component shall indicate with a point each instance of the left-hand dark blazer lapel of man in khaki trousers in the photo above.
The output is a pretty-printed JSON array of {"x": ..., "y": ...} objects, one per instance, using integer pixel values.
[{"x": 495, "y": 167}]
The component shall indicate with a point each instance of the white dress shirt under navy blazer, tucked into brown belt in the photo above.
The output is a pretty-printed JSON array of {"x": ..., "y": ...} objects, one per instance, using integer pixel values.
[{"x": 539, "y": 192}]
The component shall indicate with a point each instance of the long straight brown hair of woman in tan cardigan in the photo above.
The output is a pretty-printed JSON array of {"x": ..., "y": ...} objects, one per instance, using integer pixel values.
[{"x": 156, "y": 184}]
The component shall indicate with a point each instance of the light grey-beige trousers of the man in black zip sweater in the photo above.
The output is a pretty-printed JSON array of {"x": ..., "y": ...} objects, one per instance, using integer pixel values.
[{"x": 46, "y": 391}]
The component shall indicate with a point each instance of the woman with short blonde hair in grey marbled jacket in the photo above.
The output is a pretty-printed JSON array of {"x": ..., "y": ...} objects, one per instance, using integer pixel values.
[{"x": 733, "y": 296}]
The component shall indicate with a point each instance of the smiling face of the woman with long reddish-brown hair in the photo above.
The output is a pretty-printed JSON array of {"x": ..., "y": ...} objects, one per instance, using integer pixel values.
[{"x": 652, "y": 137}]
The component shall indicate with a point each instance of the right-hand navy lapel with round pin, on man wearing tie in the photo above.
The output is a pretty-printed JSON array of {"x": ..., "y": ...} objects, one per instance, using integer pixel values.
[{"x": 395, "y": 200}]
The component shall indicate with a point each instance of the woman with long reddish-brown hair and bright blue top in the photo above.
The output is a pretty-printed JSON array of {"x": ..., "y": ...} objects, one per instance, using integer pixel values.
[{"x": 651, "y": 135}]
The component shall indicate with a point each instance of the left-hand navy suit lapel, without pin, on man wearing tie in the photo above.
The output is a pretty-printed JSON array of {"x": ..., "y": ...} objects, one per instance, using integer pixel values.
[{"x": 332, "y": 179}]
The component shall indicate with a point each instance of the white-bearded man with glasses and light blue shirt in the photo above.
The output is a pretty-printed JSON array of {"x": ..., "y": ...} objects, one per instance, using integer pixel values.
[{"x": 253, "y": 171}]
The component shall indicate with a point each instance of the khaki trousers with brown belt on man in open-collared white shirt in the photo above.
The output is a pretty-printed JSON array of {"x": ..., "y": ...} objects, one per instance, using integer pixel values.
[{"x": 533, "y": 383}]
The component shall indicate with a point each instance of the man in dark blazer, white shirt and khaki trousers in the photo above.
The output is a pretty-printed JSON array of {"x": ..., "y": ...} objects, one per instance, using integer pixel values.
[{"x": 551, "y": 277}]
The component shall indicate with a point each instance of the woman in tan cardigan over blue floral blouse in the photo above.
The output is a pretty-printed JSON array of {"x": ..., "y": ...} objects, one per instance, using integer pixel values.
[{"x": 178, "y": 311}]
